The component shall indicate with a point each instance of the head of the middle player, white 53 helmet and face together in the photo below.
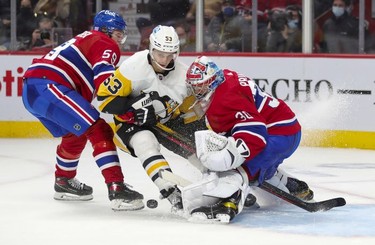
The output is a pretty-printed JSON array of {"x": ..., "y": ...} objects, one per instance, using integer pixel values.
[{"x": 164, "y": 47}]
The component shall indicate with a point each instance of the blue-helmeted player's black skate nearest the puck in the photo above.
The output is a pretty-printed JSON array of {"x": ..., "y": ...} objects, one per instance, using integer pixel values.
[{"x": 123, "y": 198}]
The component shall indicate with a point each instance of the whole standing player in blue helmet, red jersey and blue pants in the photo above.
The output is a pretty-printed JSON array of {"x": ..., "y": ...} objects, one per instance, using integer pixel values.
[{"x": 58, "y": 90}]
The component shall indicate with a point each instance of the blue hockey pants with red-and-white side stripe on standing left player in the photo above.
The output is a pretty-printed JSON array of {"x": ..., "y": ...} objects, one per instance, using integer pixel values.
[{"x": 60, "y": 109}]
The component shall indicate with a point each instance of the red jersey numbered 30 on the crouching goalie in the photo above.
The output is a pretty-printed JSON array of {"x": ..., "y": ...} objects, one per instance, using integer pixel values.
[{"x": 239, "y": 108}]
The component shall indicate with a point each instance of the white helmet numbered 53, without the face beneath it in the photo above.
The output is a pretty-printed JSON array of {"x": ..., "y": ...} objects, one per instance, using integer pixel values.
[{"x": 164, "y": 39}]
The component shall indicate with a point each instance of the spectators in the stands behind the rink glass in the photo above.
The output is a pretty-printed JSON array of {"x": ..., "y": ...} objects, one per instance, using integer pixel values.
[{"x": 42, "y": 24}]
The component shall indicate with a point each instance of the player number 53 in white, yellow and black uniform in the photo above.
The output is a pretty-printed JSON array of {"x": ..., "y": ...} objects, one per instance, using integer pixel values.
[{"x": 147, "y": 88}]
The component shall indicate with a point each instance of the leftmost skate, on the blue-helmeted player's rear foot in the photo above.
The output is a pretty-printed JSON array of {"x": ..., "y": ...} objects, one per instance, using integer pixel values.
[{"x": 71, "y": 190}]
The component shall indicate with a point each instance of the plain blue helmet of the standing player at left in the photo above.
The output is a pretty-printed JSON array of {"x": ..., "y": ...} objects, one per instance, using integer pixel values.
[{"x": 108, "y": 21}]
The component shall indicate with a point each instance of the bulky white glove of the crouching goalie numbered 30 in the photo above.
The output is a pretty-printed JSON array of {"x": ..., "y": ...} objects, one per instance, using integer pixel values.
[{"x": 219, "y": 153}]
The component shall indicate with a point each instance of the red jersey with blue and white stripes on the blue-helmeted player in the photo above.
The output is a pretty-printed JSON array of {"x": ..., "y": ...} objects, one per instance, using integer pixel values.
[{"x": 82, "y": 63}]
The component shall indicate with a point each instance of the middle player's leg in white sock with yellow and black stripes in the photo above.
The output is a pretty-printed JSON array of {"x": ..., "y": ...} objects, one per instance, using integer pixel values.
[{"x": 143, "y": 144}]
